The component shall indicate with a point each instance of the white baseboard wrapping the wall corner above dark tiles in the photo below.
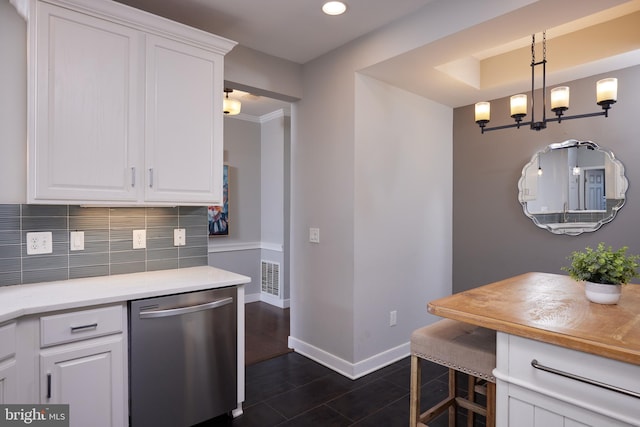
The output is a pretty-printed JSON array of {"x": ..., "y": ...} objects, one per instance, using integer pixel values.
[{"x": 350, "y": 370}]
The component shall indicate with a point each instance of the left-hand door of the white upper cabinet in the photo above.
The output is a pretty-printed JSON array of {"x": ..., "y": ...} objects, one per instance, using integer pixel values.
[{"x": 85, "y": 121}]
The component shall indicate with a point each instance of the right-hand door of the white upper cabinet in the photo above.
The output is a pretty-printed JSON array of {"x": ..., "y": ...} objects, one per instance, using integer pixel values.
[{"x": 183, "y": 123}]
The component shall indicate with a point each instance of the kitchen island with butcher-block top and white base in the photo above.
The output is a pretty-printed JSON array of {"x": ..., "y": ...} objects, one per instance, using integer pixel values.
[{"x": 561, "y": 360}]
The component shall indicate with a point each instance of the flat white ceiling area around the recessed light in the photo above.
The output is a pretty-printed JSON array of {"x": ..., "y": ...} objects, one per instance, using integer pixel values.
[{"x": 296, "y": 30}]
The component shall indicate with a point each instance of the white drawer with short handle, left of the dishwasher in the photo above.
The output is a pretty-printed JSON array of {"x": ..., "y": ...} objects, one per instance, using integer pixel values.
[{"x": 80, "y": 325}]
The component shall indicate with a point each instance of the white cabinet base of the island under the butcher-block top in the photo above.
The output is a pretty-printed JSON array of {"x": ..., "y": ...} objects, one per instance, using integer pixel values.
[{"x": 529, "y": 396}]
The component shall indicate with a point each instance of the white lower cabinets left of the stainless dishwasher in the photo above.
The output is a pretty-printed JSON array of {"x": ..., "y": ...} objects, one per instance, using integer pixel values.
[{"x": 74, "y": 357}]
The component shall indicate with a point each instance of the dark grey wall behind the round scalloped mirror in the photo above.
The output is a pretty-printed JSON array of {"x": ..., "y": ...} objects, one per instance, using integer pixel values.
[{"x": 492, "y": 238}]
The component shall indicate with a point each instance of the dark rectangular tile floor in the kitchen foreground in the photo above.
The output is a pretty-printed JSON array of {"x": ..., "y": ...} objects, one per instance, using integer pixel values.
[{"x": 292, "y": 390}]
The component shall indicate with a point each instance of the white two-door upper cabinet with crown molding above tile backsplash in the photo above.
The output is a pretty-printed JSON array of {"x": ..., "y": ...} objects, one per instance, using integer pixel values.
[{"x": 125, "y": 107}]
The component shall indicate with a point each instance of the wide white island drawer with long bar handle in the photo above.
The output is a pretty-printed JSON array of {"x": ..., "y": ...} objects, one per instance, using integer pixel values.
[{"x": 573, "y": 376}]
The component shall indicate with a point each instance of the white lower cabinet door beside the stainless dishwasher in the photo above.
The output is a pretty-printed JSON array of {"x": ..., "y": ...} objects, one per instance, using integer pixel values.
[{"x": 89, "y": 376}]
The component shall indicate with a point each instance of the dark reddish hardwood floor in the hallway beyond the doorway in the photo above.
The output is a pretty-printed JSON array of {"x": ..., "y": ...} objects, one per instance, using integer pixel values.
[{"x": 266, "y": 332}]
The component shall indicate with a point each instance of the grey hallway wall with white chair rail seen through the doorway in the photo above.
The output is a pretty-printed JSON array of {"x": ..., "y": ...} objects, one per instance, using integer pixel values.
[{"x": 255, "y": 151}]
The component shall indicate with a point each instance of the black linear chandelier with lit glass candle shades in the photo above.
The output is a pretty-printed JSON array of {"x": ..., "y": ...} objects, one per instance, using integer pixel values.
[{"x": 606, "y": 89}]
